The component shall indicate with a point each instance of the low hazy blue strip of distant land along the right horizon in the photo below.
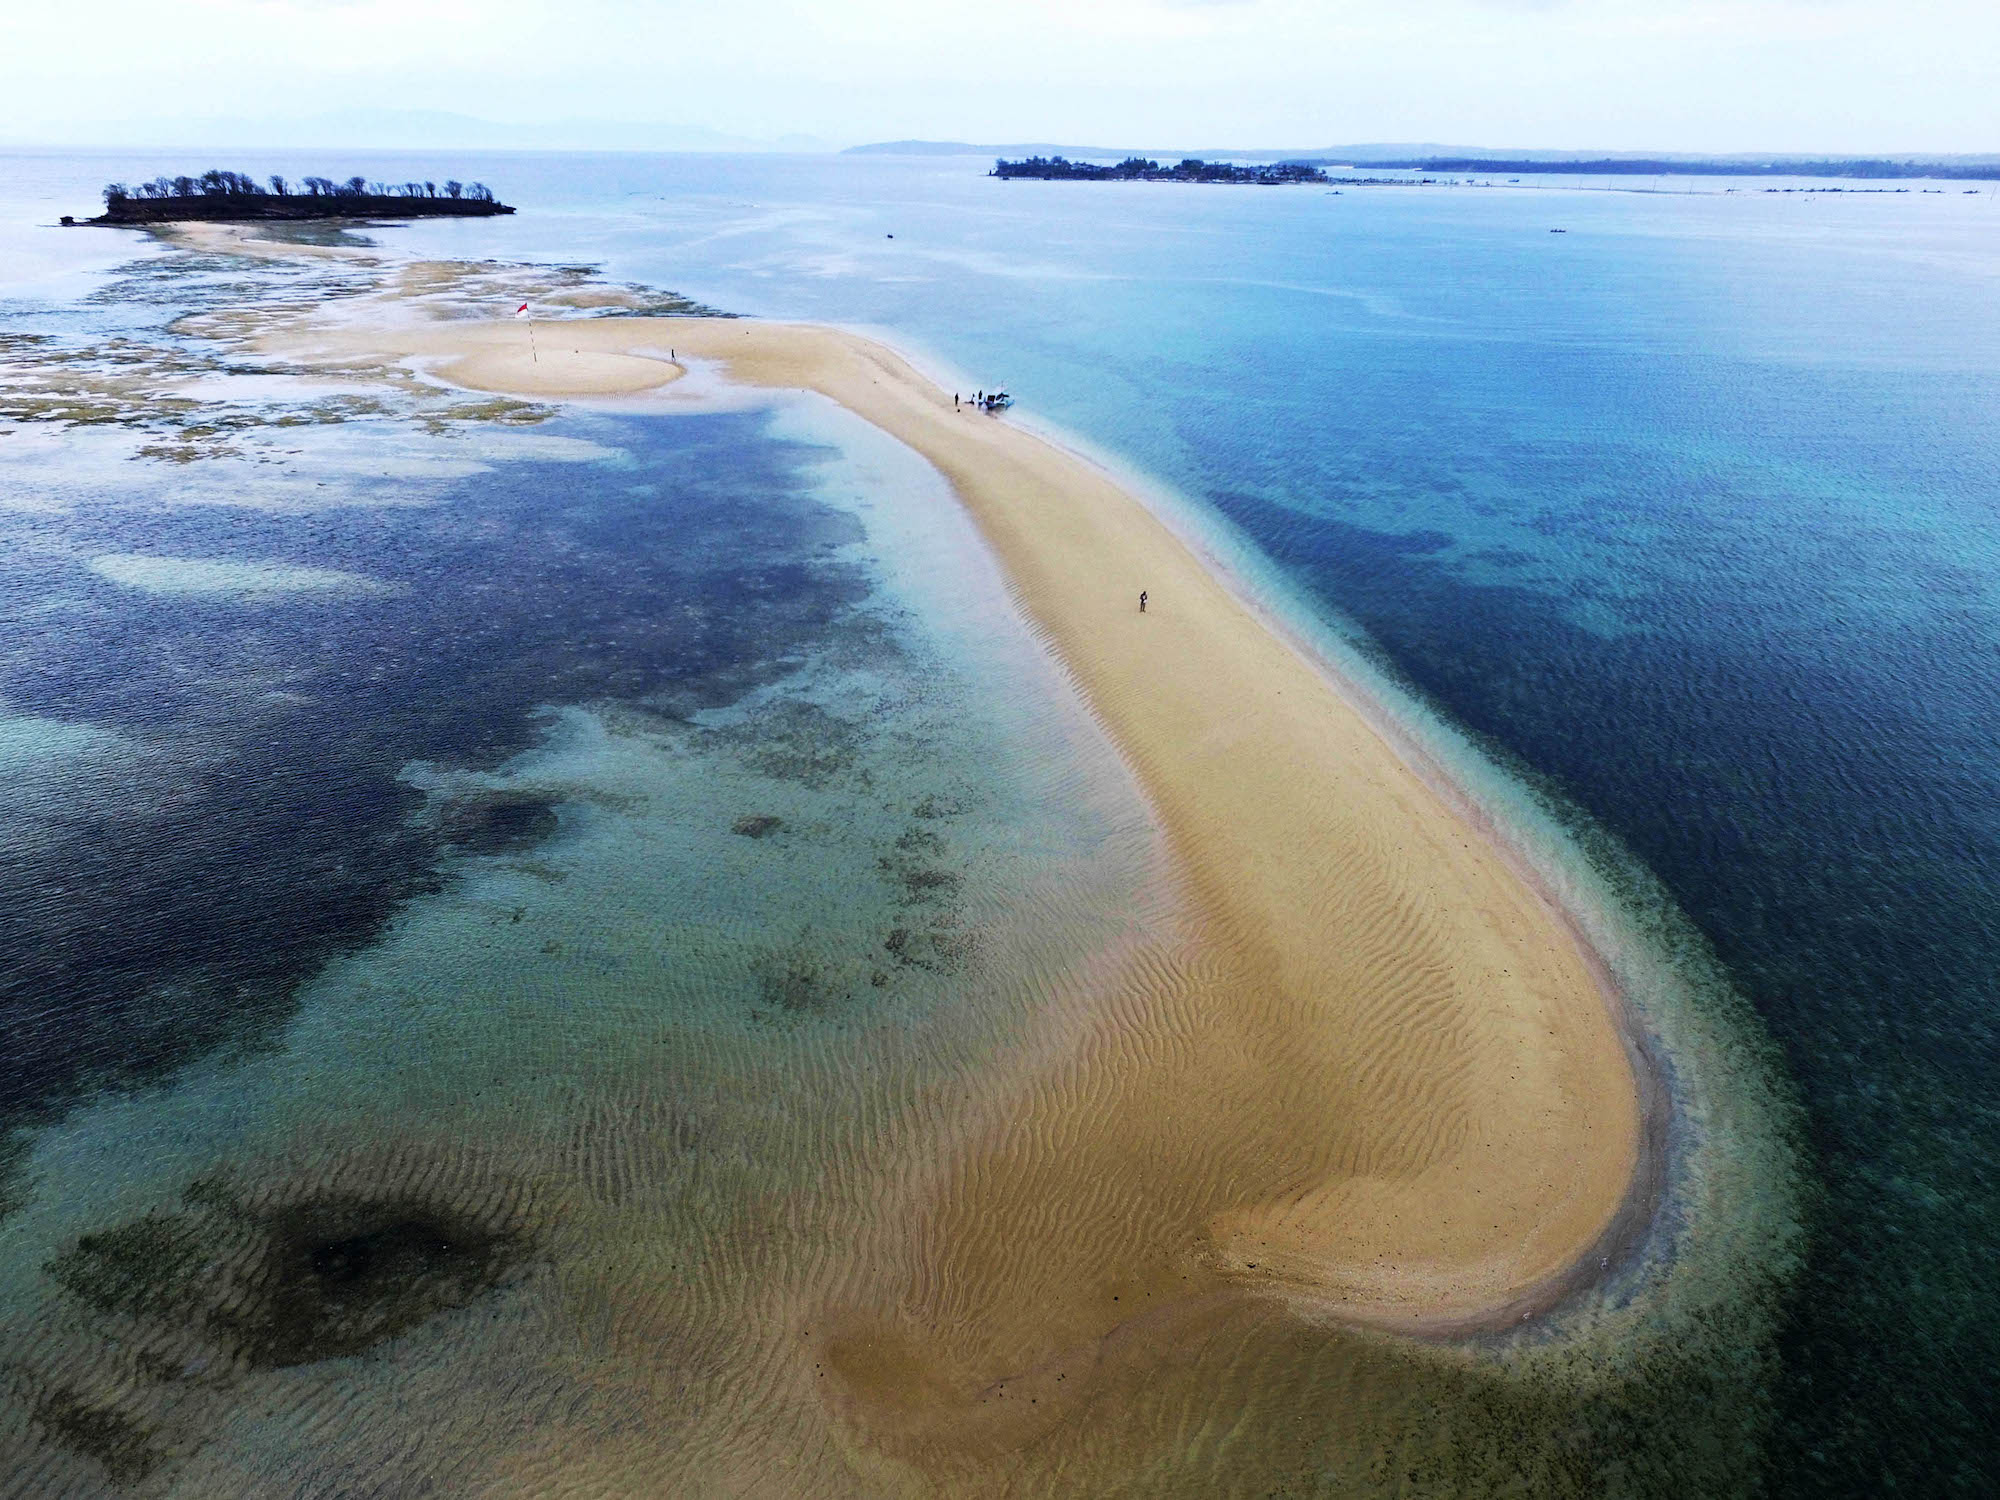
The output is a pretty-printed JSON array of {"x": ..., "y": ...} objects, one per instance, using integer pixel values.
[{"x": 1483, "y": 159}]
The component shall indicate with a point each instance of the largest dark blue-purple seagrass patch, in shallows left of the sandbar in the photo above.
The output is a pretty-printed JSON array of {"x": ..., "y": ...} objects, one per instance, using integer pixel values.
[{"x": 171, "y": 907}]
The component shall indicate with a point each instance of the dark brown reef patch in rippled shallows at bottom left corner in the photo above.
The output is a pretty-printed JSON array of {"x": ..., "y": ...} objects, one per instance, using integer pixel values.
[{"x": 169, "y": 1323}]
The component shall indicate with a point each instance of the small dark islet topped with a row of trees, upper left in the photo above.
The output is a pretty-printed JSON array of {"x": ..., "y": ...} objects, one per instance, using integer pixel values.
[{"x": 239, "y": 197}]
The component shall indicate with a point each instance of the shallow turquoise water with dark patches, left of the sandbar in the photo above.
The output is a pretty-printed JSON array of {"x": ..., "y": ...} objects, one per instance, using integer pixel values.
[{"x": 465, "y": 853}]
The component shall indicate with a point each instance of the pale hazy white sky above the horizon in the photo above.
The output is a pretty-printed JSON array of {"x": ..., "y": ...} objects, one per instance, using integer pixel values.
[{"x": 1695, "y": 75}]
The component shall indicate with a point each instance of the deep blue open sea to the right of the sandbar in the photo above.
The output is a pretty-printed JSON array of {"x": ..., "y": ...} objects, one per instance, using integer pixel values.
[{"x": 1687, "y": 513}]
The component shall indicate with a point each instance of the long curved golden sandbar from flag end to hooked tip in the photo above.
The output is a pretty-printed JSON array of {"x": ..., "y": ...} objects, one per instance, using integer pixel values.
[{"x": 1381, "y": 1077}]
